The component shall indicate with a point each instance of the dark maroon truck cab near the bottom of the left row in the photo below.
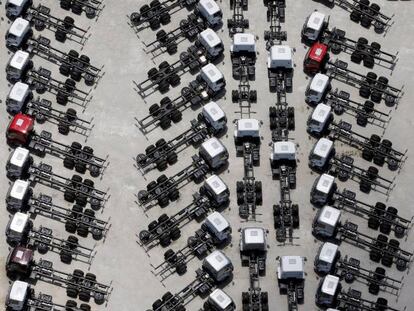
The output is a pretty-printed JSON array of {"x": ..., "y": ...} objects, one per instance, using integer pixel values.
[{"x": 19, "y": 262}]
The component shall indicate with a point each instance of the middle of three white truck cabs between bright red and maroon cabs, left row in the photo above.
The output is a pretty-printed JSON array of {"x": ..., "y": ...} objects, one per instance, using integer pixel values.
[{"x": 18, "y": 196}]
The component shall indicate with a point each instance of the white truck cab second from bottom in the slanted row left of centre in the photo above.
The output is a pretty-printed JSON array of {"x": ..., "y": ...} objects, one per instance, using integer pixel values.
[{"x": 218, "y": 266}]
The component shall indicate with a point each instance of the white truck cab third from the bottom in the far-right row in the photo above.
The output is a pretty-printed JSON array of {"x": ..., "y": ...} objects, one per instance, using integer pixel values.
[{"x": 326, "y": 222}]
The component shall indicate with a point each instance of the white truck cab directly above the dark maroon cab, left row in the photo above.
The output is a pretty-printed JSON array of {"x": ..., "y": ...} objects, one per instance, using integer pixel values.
[{"x": 17, "y": 228}]
